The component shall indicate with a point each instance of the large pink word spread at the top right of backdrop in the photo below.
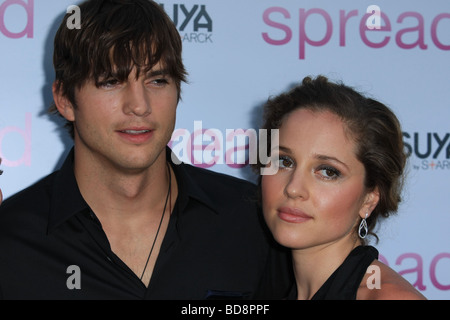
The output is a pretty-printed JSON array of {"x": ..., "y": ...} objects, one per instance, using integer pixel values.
[{"x": 375, "y": 28}]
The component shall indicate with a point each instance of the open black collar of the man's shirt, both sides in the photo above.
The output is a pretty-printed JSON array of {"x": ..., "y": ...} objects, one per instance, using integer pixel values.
[{"x": 68, "y": 201}]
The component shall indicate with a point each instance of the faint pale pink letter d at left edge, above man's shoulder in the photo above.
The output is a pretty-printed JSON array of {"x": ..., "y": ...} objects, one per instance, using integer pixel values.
[{"x": 26, "y": 135}]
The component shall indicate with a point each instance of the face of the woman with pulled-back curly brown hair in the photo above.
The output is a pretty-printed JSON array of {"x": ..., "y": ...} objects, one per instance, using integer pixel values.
[{"x": 317, "y": 196}]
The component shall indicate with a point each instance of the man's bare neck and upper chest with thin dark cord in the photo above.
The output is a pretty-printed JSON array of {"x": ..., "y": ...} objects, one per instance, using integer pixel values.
[{"x": 134, "y": 210}]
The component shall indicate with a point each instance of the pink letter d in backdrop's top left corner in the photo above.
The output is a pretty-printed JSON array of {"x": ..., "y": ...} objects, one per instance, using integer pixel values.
[{"x": 28, "y": 30}]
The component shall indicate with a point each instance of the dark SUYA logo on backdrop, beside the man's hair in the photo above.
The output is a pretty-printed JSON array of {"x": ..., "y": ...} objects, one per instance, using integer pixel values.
[{"x": 193, "y": 22}]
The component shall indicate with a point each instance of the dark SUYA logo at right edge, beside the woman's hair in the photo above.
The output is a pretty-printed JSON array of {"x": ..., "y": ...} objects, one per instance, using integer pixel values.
[{"x": 428, "y": 150}]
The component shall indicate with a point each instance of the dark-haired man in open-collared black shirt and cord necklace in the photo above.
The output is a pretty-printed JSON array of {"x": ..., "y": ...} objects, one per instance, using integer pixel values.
[{"x": 120, "y": 220}]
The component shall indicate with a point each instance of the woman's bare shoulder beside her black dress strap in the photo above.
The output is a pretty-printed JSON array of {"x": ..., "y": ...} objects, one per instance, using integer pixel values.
[{"x": 383, "y": 283}]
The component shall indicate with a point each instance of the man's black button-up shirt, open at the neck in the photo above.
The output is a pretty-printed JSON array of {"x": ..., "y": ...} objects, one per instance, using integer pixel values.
[{"x": 52, "y": 246}]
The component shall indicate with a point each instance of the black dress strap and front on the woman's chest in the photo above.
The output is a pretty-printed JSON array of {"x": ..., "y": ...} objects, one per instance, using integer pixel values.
[{"x": 343, "y": 284}]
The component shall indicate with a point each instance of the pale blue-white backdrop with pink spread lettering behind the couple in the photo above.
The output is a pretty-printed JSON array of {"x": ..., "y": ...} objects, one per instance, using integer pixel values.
[{"x": 240, "y": 52}]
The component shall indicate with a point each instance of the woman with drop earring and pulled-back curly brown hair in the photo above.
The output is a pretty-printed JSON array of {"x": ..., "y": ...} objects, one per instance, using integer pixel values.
[{"x": 340, "y": 164}]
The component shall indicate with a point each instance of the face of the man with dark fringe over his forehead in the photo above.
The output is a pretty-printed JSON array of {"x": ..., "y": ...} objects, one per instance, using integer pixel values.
[{"x": 125, "y": 125}]
